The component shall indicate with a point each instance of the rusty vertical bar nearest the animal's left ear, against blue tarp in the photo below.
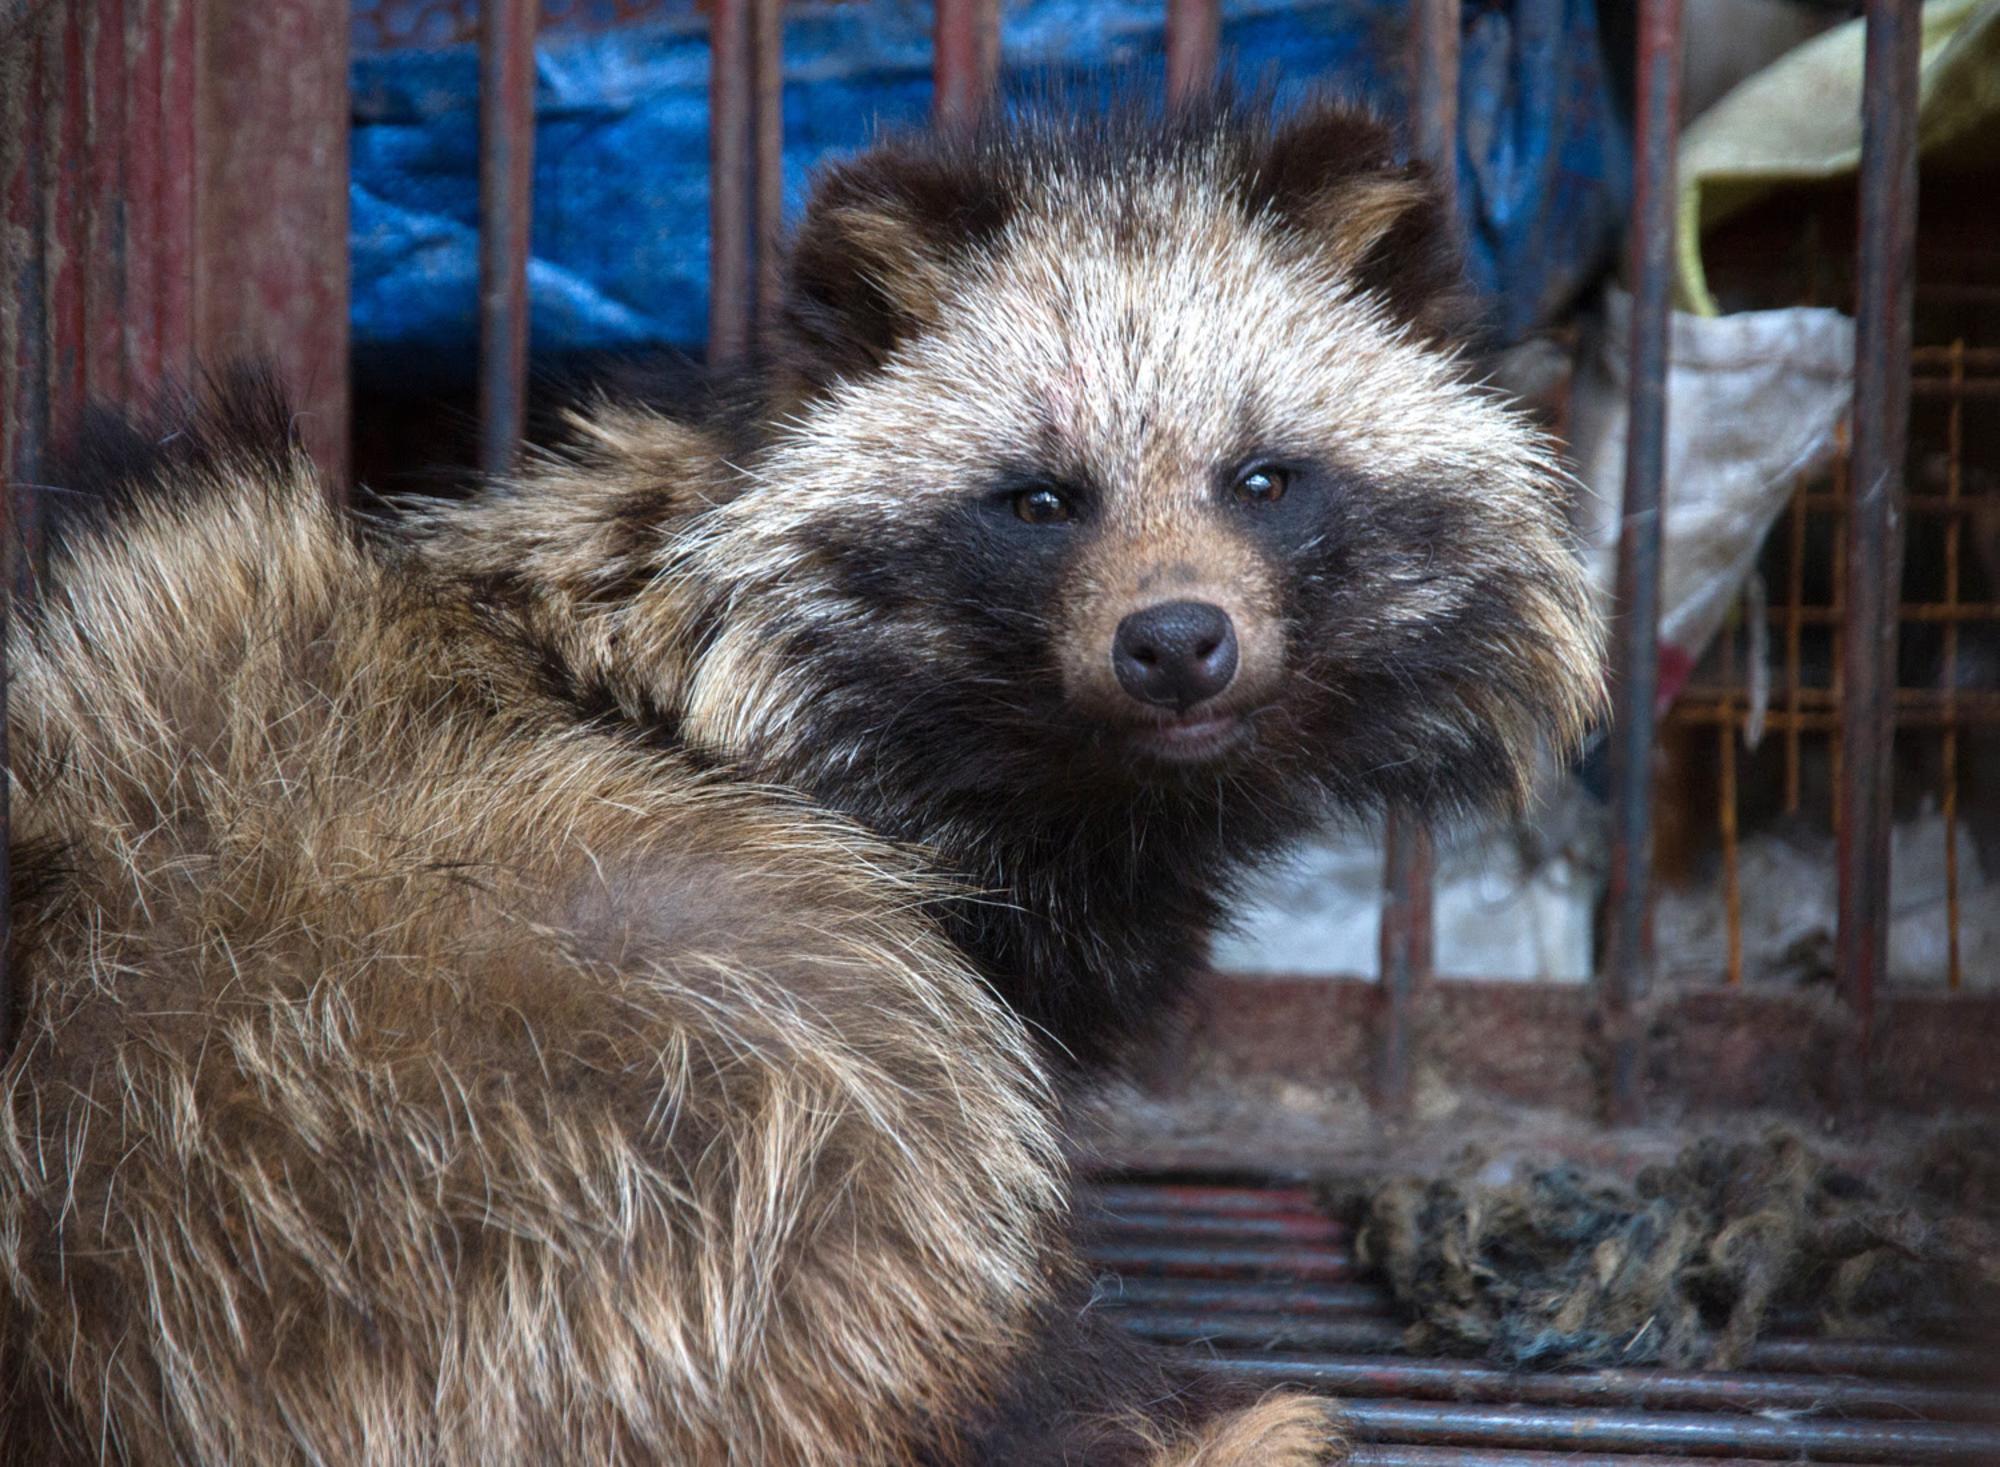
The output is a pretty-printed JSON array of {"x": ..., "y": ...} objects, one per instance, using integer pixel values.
[{"x": 731, "y": 187}]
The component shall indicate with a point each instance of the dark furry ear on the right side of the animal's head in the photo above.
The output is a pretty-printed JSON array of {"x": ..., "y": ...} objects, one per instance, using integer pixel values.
[{"x": 1331, "y": 173}]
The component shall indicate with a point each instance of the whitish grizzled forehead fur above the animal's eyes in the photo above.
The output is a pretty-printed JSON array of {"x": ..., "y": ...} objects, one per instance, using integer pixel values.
[{"x": 1147, "y": 331}]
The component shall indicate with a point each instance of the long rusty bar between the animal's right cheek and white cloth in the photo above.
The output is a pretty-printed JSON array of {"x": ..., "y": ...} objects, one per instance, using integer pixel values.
[{"x": 1627, "y": 968}]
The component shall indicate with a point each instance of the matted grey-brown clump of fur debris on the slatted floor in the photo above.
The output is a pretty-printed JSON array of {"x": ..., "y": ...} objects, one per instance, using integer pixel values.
[{"x": 1687, "y": 1264}]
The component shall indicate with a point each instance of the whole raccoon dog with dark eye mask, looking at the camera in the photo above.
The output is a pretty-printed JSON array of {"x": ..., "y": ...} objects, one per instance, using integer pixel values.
[{"x": 591, "y": 974}]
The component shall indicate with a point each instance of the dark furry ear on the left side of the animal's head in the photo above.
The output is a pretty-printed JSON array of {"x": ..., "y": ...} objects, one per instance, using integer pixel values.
[{"x": 875, "y": 253}]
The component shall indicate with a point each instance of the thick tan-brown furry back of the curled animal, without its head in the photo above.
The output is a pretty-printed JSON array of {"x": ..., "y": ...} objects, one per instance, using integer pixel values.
[{"x": 417, "y": 1074}]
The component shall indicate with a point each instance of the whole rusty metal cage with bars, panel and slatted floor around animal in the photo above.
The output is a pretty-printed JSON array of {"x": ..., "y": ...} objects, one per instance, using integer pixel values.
[{"x": 177, "y": 187}]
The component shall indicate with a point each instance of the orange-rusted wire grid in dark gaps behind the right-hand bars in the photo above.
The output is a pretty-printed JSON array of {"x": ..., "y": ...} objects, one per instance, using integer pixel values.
[{"x": 1777, "y": 665}]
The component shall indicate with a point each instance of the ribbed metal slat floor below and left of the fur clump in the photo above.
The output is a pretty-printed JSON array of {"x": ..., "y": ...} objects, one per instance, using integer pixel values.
[{"x": 1257, "y": 1280}]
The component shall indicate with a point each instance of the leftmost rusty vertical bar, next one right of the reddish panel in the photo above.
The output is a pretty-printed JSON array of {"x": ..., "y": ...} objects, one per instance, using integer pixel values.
[{"x": 507, "y": 213}]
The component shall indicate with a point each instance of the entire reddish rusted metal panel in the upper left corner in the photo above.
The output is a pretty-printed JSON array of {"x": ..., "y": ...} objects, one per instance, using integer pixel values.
[{"x": 105, "y": 253}]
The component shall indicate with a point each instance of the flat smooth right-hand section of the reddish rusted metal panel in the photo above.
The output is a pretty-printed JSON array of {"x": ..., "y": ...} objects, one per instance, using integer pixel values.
[{"x": 273, "y": 203}]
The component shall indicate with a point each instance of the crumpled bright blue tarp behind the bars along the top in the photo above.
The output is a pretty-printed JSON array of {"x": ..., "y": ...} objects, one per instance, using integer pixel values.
[{"x": 621, "y": 171}]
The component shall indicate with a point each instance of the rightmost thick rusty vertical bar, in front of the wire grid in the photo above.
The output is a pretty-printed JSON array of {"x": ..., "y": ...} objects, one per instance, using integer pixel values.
[{"x": 1875, "y": 523}]
